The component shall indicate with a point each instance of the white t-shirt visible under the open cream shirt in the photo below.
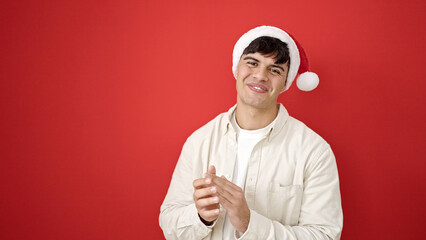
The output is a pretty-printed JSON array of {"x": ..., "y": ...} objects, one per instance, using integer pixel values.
[{"x": 246, "y": 140}]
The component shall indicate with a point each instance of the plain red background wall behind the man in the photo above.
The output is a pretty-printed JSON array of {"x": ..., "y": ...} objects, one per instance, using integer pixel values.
[{"x": 98, "y": 97}]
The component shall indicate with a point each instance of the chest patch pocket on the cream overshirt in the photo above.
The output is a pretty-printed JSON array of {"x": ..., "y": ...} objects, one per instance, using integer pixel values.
[{"x": 284, "y": 203}]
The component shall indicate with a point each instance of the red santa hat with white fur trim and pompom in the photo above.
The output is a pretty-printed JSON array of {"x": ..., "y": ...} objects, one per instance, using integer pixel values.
[{"x": 306, "y": 80}]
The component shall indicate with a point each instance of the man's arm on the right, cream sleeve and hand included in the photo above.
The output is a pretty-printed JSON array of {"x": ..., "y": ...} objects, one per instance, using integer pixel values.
[{"x": 321, "y": 214}]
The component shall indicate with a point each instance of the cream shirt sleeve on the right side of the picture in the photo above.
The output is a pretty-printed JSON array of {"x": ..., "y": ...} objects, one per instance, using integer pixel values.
[{"x": 321, "y": 214}]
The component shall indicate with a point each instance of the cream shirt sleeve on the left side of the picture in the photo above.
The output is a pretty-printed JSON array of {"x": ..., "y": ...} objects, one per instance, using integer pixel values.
[{"x": 178, "y": 215}]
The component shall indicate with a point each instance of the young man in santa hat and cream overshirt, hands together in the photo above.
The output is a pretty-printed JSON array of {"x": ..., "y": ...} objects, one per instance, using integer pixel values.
[{"x": 254, "y": 172}]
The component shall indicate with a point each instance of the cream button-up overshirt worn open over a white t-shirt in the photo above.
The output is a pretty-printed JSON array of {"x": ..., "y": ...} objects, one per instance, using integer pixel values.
[{"x": 291, "y": 188}]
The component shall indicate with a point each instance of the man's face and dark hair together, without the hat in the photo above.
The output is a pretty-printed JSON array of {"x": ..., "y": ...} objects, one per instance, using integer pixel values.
[{"x": 262, "y": 72}]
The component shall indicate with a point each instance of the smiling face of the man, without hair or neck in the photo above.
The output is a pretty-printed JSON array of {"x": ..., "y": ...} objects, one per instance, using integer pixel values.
[{"x": 260, "y": 80}]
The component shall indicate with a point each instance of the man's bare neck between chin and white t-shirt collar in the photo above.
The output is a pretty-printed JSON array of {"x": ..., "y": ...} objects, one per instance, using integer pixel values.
[{"x": 250, "y": 118}]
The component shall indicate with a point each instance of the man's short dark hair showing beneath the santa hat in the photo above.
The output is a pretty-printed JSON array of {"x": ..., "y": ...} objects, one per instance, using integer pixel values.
[{"x": 270, "y": 46}]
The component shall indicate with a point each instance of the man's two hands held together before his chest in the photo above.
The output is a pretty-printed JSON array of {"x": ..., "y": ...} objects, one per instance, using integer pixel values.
[{"x": 211, "y": 190}]
